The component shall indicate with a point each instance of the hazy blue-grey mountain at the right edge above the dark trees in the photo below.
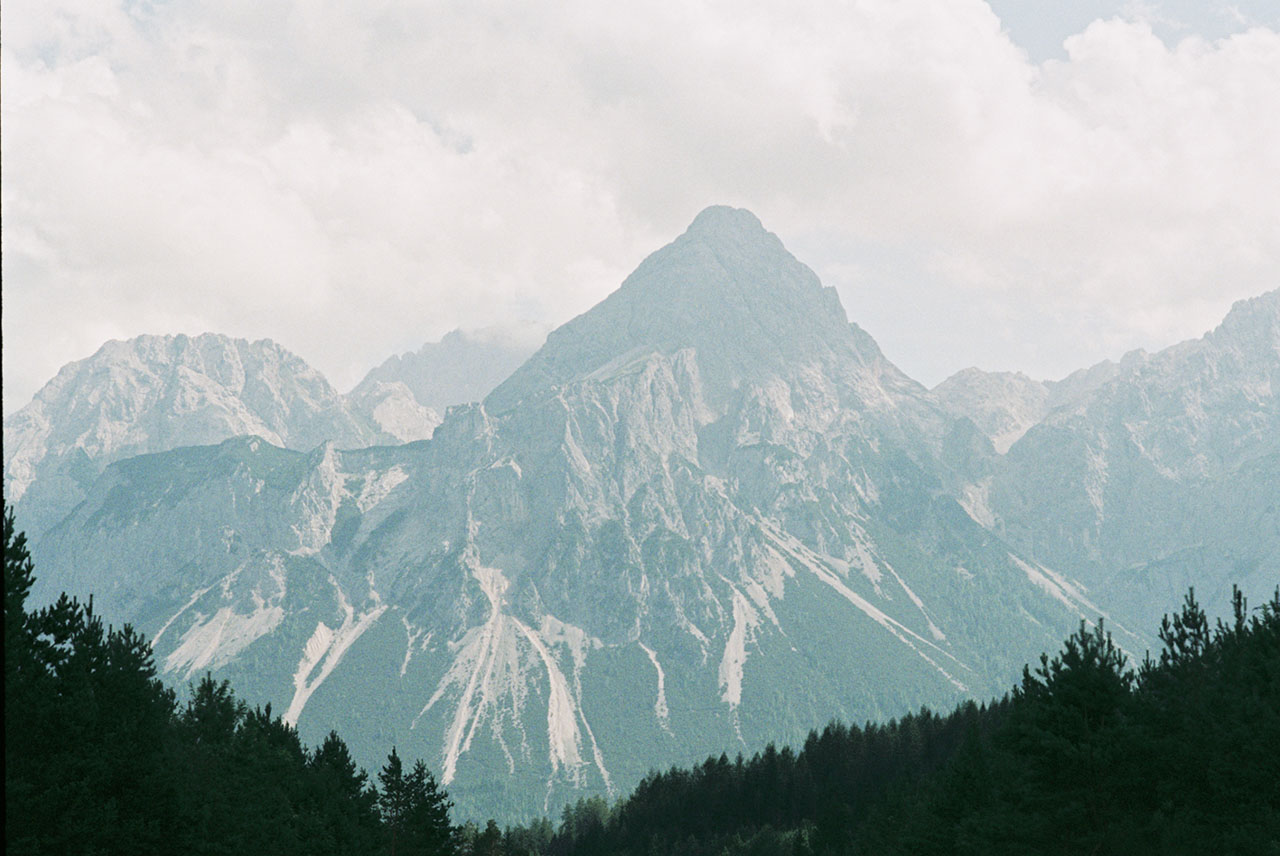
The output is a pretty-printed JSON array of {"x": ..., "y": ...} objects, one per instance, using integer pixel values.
[{"x": 1165, "y": 475}]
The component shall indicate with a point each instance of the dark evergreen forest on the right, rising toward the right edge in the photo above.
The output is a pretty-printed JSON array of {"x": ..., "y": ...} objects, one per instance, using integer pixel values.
[{"x": 1086, "y": 757}]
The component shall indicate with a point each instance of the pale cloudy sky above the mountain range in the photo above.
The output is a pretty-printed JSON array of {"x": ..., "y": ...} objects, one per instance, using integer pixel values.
[{"x": 1028, "y": 185}]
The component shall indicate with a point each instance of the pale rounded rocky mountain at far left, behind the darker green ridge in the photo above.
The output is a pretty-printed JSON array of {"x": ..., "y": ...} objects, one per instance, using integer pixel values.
[{"x": 159, "y": 393}]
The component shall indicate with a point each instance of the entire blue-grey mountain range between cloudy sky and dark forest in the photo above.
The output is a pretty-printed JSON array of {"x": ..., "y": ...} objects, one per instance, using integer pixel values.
[{"x": 706, "y": 515}]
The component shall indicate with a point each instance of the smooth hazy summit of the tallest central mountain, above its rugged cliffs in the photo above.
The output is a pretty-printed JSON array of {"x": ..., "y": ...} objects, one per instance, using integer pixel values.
[{"x": 728, "y": 290}]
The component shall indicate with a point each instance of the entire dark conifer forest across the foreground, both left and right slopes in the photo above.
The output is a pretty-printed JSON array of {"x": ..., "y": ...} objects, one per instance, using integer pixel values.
[{"x": 1090, "y": 754}]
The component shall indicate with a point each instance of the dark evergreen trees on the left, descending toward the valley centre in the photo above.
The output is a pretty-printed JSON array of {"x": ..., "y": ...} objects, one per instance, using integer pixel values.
[{"x": 102, "y": 759}]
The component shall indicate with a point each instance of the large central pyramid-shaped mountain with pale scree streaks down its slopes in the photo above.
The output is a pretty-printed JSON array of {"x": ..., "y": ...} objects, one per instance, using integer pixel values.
[{"x": 706, "y": 514}]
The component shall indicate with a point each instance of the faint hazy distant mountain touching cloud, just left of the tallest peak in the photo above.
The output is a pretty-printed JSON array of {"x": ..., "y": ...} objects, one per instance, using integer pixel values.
[{"x": 461, "y": 368}]
